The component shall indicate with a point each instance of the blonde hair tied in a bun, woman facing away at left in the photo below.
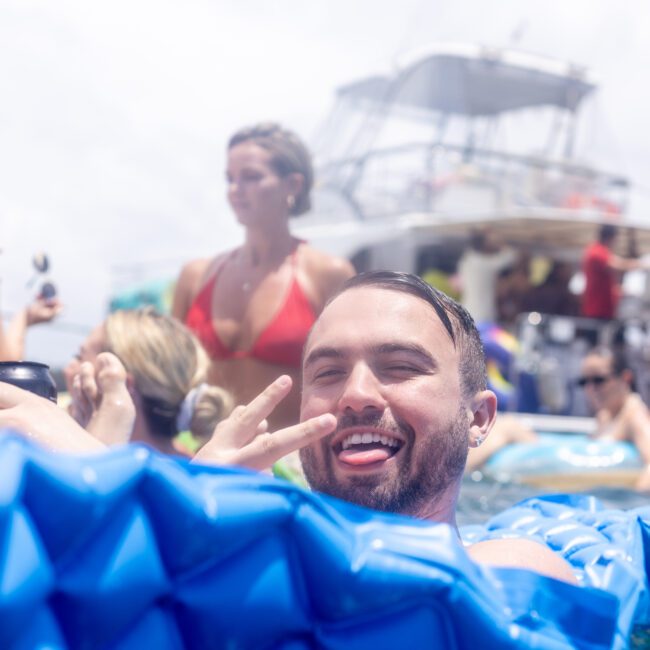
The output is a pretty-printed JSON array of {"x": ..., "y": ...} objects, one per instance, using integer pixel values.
[{"x": 166, "y": 362}]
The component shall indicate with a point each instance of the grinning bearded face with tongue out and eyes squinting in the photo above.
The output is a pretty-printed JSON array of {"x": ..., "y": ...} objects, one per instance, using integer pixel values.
[{"x": 382, "y": 362}]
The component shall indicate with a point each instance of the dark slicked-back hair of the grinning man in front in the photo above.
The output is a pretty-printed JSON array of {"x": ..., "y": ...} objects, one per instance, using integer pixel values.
[{"x": 455, "y": 318}]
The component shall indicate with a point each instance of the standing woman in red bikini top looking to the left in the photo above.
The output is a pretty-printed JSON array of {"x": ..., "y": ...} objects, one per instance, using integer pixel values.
[{"x": 253, "y": 306}]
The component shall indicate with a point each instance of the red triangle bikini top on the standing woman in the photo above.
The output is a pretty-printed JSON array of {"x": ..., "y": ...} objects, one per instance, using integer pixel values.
[{"x": 280, "y": 342}]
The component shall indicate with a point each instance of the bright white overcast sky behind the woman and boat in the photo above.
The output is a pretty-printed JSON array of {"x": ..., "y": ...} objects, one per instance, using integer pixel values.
[{"x": 114, "y": 115}]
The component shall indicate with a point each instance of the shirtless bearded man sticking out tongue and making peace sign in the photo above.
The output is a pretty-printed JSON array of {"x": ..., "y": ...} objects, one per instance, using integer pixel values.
[{"x": 394, "y": 394}]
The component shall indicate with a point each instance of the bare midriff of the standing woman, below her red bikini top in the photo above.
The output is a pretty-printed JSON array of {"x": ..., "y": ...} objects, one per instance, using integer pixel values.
[{"x": 247, "y": 377}]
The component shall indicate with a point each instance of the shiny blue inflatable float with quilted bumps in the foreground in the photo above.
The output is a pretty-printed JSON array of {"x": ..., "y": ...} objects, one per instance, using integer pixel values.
[{"x": 131, "y": 549}]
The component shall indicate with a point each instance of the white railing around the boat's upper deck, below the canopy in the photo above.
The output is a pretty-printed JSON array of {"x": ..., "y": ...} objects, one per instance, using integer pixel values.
[{"x": 457, "y": 179}]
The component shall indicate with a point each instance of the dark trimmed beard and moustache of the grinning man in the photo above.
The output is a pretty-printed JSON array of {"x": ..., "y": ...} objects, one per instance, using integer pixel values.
[{"x": 422, "y": 479}]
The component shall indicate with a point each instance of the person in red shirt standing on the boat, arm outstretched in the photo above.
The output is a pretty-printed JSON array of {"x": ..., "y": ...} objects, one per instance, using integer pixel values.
[{"x": 601, "y": 268}]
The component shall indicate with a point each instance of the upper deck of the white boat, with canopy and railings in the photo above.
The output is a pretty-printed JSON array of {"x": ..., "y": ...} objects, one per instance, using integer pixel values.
[{"x": 455, "y": 136}]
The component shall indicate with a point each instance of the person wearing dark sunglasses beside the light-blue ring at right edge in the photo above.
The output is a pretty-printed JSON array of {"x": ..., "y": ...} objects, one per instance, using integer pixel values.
[{"x": 621, "y": 414}]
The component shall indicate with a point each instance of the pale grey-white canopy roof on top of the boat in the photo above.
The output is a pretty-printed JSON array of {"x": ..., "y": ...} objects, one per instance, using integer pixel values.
[{"x": 474, "y": 80}]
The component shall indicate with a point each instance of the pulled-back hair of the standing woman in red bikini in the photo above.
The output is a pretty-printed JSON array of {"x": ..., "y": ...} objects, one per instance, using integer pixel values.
[{"x": 288, "y": 156}]
